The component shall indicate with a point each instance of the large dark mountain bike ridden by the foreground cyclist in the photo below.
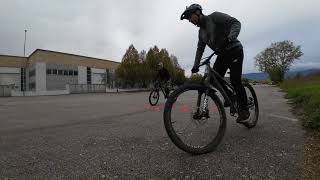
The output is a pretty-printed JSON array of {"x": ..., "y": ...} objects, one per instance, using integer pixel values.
[{"x": 194, "y": 116}]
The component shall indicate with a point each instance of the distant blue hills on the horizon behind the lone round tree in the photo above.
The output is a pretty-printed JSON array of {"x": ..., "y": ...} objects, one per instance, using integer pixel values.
[{"x": 265, "y": 76}]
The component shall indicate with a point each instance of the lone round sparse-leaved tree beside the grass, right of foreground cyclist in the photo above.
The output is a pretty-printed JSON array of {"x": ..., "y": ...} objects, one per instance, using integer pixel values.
[{"x": 277, "y": 59}]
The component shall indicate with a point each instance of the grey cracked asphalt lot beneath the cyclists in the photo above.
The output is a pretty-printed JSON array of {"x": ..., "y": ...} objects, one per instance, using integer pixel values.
[{"x": 117, "y": 136}]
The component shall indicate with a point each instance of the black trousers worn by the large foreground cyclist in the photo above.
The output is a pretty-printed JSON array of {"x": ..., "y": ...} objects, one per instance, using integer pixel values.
[{"x": 232, "y": 60}]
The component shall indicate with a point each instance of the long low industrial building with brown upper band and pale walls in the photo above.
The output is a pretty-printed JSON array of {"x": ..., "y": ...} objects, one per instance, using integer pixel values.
[{"x": 47, "y": 72}]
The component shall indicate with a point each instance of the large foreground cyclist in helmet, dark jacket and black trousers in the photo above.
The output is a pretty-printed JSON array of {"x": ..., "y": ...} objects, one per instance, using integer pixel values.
[{"x": 220, "y": 31}]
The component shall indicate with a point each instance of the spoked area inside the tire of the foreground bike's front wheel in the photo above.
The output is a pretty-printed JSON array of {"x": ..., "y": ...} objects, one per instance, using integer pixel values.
[{"x": 194, "y": 133}]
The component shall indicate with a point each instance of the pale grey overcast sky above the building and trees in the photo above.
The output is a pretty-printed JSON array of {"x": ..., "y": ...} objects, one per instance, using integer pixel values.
[{"x": 106, "y": 28}]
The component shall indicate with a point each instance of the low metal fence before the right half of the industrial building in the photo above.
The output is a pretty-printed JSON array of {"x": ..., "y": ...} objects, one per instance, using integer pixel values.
[{"x": 87, "y": 88}]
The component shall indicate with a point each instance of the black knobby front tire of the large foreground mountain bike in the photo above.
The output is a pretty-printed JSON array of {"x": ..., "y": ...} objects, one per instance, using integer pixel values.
[{"x": 171, "y": 131}]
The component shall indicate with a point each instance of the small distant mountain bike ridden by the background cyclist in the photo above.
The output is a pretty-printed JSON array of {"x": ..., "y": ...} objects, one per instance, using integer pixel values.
[{"x": 154, "y": 95}]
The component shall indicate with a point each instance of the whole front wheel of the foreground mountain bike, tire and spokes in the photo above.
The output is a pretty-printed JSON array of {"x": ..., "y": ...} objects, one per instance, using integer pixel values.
[{"x": 188, "y": 132}]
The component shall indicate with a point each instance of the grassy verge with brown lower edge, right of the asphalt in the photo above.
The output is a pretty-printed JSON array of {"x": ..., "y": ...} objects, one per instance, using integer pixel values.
[{"x": 304, "y": 93}]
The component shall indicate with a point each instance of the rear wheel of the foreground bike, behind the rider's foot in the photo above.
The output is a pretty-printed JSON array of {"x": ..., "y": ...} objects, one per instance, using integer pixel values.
[{"x": 252, "y": 105}]
